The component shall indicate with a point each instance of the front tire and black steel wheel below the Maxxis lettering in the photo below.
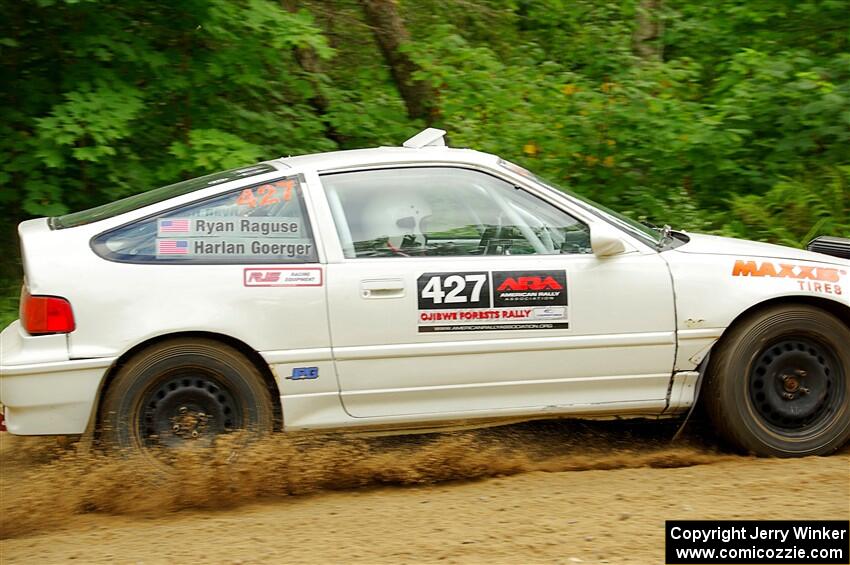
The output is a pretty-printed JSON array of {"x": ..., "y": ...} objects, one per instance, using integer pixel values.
[{"x": 780, "y": 383}]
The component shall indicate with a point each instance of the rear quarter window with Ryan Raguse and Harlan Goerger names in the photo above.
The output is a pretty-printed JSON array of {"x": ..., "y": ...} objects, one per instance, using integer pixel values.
[{"x": 264, "y": 223}]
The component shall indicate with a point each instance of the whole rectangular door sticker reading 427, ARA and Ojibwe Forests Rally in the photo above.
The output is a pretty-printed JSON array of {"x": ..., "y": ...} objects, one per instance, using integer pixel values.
[{"x": 487, "y": 301}]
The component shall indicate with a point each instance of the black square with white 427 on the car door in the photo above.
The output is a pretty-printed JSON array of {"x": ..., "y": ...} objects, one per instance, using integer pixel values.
[{"x": 453, "y": 290}]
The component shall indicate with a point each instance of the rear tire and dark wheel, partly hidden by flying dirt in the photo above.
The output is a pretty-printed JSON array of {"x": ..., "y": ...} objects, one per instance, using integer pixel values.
[{"x": 184, "y": 393}]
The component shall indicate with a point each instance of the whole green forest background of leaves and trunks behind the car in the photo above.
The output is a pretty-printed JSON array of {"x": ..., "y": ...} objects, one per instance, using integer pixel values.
[{"x": 727, "y": 117}]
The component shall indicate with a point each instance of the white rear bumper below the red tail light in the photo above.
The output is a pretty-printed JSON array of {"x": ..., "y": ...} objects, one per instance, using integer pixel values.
[{"x": 42, "y": 393}]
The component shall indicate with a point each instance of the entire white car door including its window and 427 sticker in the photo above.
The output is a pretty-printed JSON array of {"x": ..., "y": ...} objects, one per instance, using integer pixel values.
[{"x": 455, "y": 291}]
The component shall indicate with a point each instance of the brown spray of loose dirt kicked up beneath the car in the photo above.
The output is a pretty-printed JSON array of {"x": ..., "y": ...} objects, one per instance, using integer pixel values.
[{"x": 43, "y": 484}]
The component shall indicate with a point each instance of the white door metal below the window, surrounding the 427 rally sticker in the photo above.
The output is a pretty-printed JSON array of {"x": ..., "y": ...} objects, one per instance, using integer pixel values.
[{"x": 618, "y": 345}]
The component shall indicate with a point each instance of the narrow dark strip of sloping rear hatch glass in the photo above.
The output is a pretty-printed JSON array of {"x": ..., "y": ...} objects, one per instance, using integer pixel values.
[{"x": 154, "y": 196}]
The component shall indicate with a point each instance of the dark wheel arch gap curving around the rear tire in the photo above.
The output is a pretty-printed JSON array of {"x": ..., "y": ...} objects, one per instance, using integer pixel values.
[{"x": 249, "y": 352}]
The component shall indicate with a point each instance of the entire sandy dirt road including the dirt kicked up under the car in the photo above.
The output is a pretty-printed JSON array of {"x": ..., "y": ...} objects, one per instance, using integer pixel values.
[{"x": 533, "y": 493}]
